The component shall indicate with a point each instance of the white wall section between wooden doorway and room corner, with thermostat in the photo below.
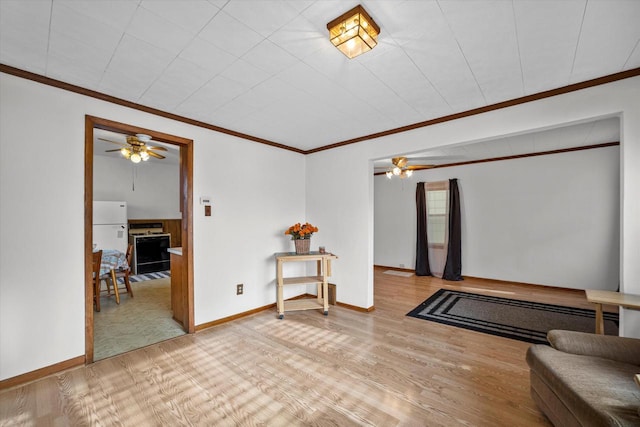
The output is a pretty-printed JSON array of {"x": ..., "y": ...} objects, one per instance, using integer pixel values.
[{"x": 256, "y": 196}]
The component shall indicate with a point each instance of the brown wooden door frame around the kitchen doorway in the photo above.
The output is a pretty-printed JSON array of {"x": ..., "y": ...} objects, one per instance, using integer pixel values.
[{"x": 186, "y": 203}]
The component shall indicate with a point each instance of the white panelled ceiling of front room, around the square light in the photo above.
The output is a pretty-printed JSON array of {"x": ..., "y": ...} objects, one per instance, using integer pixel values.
[{"x": 267, "y": 69}]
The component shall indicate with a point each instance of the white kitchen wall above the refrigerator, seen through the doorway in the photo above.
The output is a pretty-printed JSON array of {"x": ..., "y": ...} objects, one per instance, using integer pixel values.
[{"x": 151, "y": 189}]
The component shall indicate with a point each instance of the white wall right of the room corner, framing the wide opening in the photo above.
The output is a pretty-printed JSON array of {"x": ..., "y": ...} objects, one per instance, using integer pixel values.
[{"x": 343, "y": 177}]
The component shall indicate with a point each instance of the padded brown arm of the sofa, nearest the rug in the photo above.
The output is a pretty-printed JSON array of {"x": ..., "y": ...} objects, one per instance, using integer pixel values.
[{"x": 620, "y": 349}]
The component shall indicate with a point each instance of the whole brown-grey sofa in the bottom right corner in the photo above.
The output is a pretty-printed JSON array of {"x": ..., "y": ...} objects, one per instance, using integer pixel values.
[{"x": 586, "y": 379}]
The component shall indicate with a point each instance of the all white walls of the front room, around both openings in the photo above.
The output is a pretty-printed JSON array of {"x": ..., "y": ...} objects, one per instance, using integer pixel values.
[{"x": 41, "y": 206}]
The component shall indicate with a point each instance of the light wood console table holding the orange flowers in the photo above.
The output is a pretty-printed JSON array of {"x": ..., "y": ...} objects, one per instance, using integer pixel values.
[{"x": 323, "y": 271}]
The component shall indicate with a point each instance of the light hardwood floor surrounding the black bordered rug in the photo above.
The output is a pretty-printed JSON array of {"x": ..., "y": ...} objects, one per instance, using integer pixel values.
[{"x": 349, "y": 368}]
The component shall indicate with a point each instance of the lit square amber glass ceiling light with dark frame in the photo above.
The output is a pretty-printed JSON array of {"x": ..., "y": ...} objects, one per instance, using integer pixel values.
[{"x": 354, "y": 32}]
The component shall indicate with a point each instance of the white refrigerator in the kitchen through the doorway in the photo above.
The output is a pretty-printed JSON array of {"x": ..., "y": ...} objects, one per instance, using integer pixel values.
[{"x": 110, "y": 225}]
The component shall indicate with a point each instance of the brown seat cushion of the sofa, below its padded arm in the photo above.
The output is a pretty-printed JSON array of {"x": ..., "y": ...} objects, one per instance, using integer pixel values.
[{"x": 597, "y": 391}]
